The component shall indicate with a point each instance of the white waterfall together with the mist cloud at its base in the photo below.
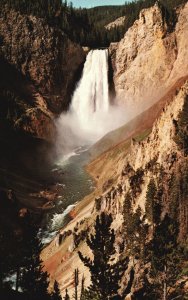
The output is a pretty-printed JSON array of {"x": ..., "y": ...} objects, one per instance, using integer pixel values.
[{"x": 90, "y": 115}]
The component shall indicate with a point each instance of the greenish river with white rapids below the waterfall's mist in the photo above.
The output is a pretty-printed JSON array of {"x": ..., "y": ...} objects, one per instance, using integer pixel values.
[{"x": 76, "y": 183}]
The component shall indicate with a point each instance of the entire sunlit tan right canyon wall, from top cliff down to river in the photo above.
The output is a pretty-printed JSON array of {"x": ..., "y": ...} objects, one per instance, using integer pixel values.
[{"x": 145, "y": 64}]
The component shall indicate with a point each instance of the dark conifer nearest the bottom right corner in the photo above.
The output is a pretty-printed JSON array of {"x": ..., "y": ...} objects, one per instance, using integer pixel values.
[{"x": 165, "y": 258}]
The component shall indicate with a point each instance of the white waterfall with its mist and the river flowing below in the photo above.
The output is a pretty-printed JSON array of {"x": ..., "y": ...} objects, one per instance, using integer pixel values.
[{"x": 89, "y": 118}]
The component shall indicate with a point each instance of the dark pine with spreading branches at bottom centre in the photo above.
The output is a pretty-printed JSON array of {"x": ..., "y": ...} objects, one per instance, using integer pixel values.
[{"x": 105, "y": 275}]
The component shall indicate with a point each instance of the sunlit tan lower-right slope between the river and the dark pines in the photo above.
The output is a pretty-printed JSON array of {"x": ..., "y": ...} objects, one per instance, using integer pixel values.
[{"x": 150, "y": 154}]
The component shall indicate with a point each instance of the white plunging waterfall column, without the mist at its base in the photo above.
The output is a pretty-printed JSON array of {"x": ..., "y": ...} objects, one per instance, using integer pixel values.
[{"x": 91, "y": 95}]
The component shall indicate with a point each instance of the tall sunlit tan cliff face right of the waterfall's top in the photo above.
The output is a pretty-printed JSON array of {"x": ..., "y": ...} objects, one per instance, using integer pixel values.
[{"x": 150, "y": 58}]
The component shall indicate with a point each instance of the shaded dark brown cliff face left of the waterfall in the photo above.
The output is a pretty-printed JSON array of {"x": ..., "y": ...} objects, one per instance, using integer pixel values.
[{"x": 40, "y": 64}]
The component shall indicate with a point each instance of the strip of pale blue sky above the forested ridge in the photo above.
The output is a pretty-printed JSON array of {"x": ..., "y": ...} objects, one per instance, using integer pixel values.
[{"x": 93, "y": 3}]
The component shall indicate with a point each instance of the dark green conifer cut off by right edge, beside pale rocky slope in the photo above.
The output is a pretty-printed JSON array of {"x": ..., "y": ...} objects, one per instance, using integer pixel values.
[{"x": 181, "y": 137}]
